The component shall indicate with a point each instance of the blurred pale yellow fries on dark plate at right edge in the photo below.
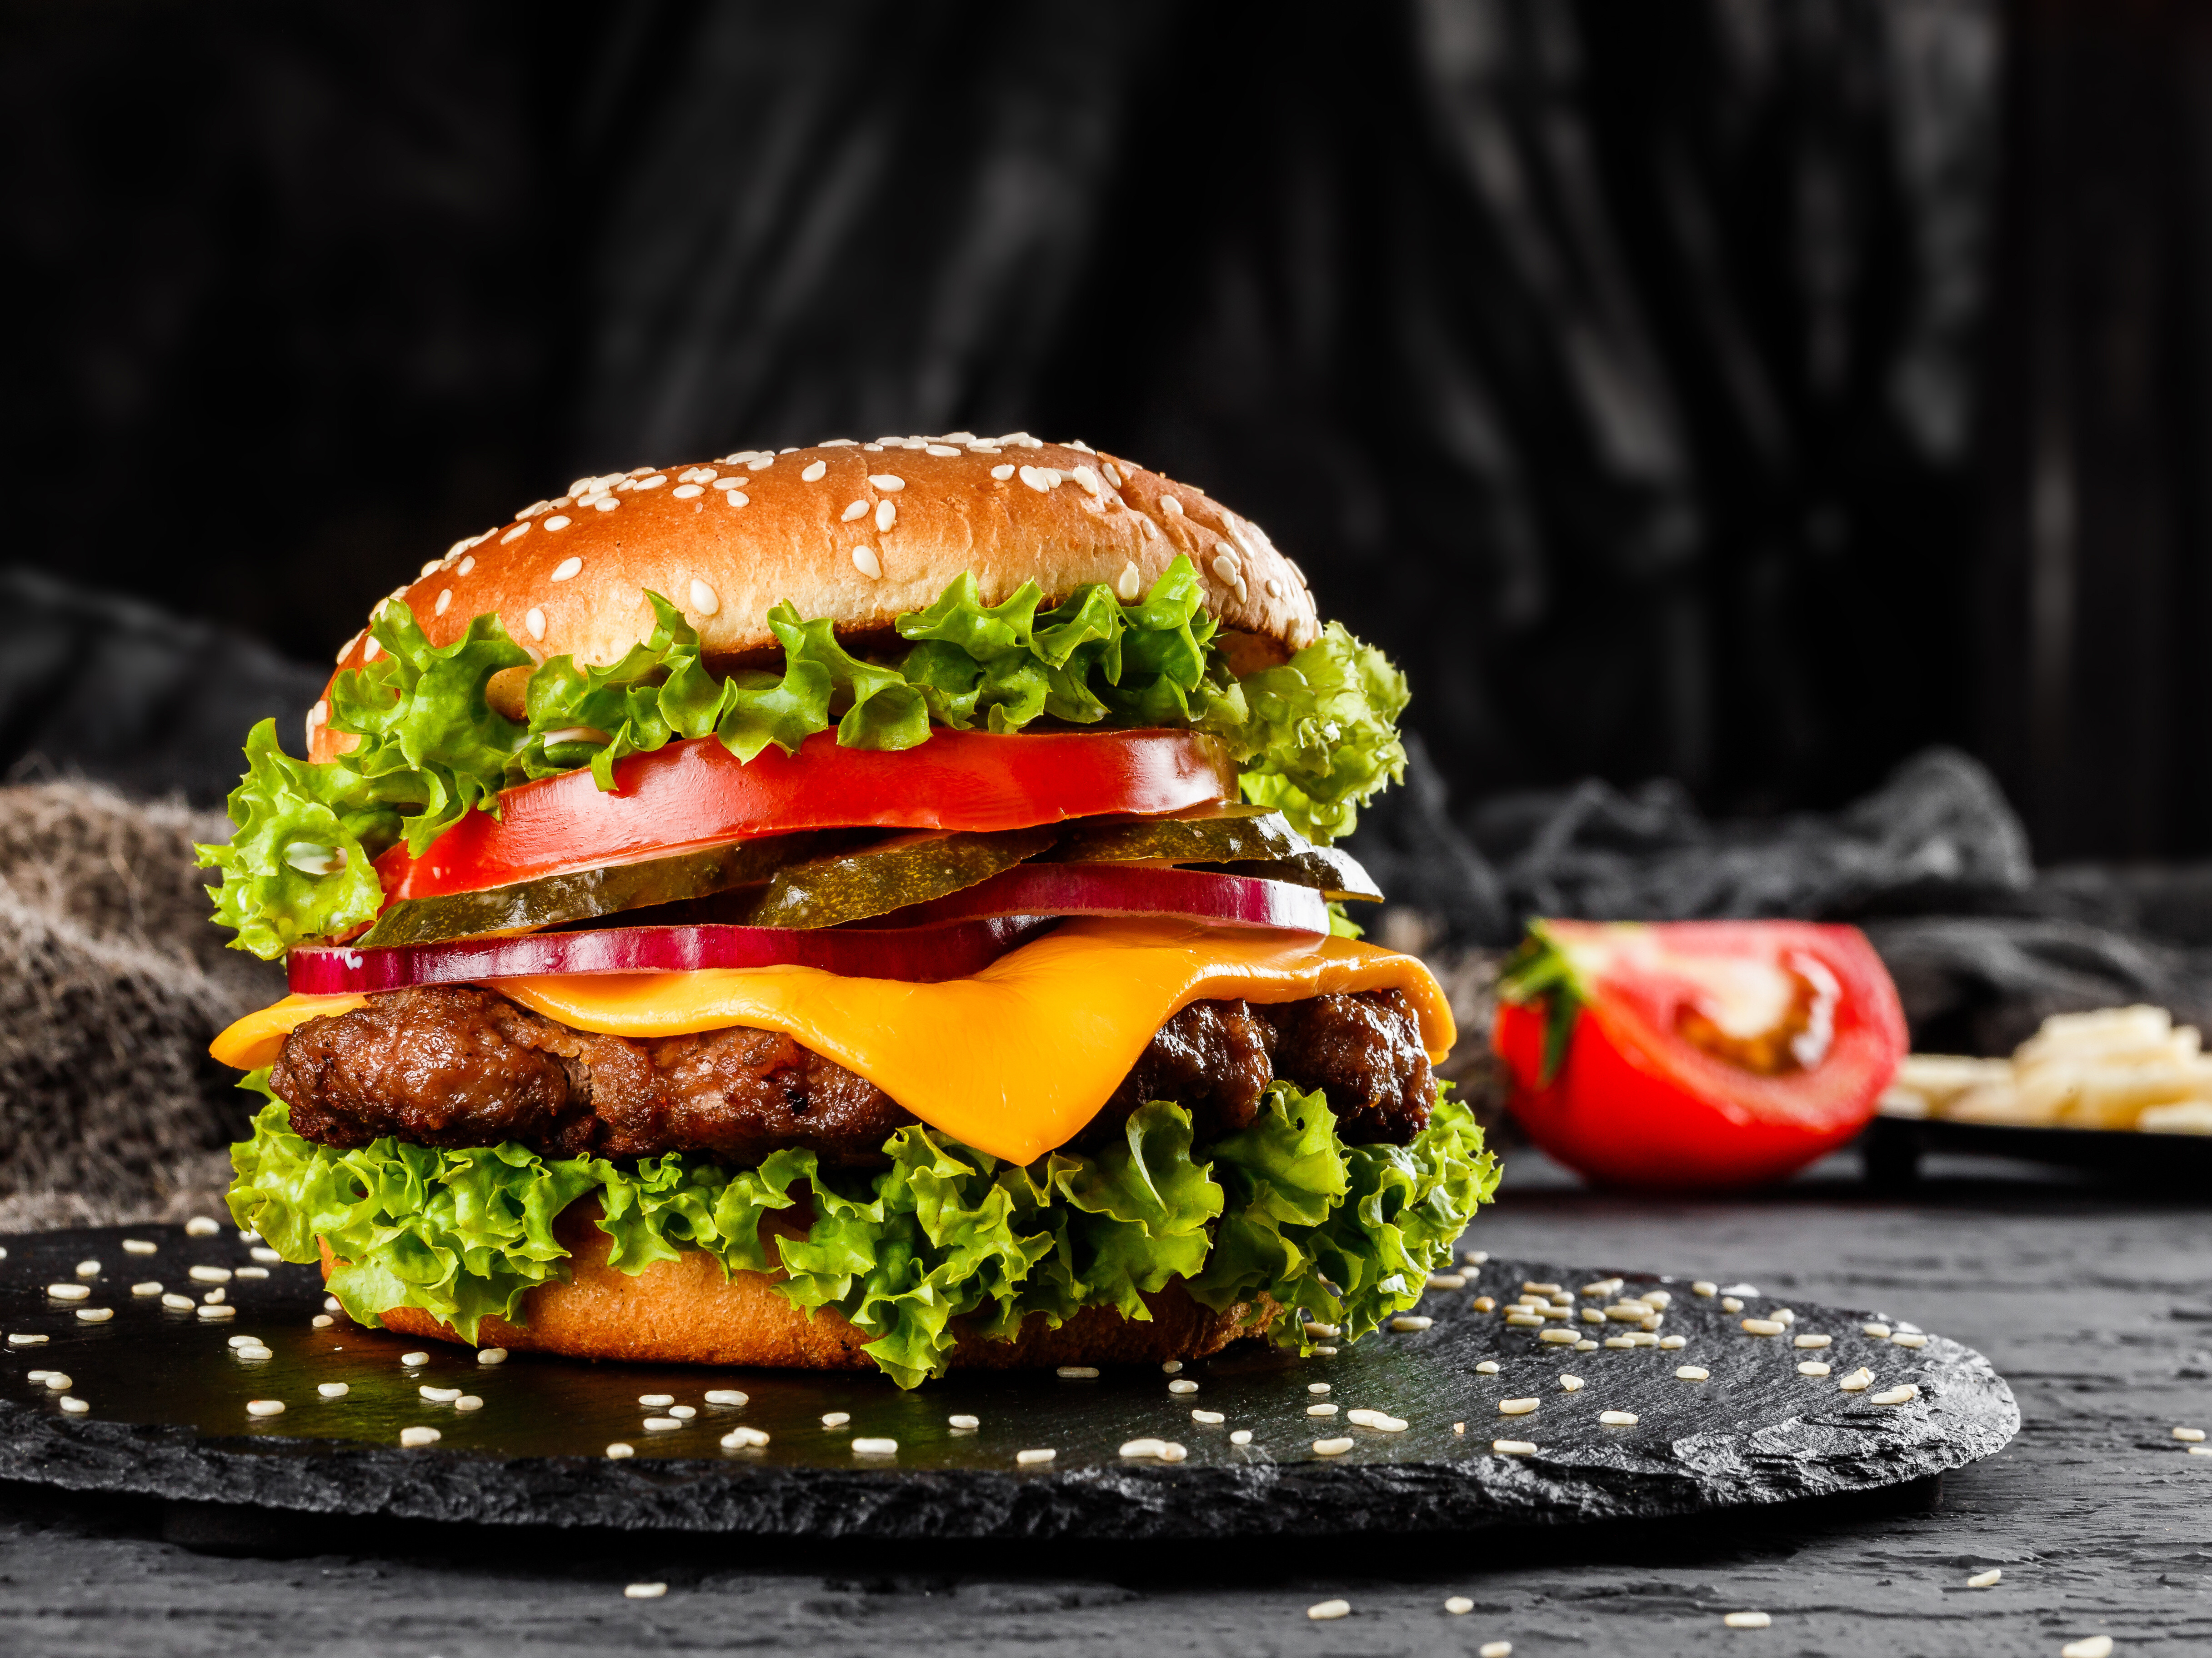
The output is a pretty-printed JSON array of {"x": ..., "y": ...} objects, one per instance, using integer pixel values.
[{"x": 2116, "y": 1069}]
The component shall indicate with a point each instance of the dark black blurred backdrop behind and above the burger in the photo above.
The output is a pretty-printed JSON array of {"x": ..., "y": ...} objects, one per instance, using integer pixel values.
[{"x": 1746, "y": 392}]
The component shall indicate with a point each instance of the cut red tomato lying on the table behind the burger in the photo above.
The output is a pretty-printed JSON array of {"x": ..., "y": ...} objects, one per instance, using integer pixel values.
[{"x": 1680, "y": 1069}]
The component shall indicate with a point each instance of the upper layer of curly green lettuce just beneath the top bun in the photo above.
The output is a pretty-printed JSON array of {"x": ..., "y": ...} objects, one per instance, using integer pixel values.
[{"x": 1315, "y": 737}]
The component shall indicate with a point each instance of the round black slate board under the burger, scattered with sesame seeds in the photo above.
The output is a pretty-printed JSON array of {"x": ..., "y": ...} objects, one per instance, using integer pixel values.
[{"x": 169, "y": 1418}]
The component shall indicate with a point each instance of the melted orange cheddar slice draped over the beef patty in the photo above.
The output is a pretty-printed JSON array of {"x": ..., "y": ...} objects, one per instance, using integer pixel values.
[{"x": 1012, "y": 1060}]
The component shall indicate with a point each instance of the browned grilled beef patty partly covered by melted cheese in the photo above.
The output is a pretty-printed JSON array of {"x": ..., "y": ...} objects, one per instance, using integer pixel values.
[{"x": 461, "y": 1067}]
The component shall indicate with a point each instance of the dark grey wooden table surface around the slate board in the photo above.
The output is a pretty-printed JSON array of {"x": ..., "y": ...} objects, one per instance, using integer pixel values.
[{"x": 2094, "y": 1301}]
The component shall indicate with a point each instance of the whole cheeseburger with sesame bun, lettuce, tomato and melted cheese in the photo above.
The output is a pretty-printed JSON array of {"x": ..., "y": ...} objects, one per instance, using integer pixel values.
[{"x": 866, "y": 905}]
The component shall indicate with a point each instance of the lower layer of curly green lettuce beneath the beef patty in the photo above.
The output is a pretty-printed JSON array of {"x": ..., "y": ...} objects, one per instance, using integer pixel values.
[{"x": 941, "y": 1243}]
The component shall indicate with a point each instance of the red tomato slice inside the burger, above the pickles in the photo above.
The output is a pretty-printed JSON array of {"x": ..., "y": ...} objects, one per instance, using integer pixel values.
[{"x": 700, "y": 795}]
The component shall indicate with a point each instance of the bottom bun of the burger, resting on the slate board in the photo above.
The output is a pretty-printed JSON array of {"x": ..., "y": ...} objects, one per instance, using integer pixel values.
[{"x": 685, "y": 1312}]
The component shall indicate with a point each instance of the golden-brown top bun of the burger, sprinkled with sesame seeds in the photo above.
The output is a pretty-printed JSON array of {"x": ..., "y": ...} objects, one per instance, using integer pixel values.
[{"x": 853, "y": 532}]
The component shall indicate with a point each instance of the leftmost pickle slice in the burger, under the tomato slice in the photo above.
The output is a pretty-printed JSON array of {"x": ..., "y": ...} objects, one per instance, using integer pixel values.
[{"x": 556, "y": 901}]
